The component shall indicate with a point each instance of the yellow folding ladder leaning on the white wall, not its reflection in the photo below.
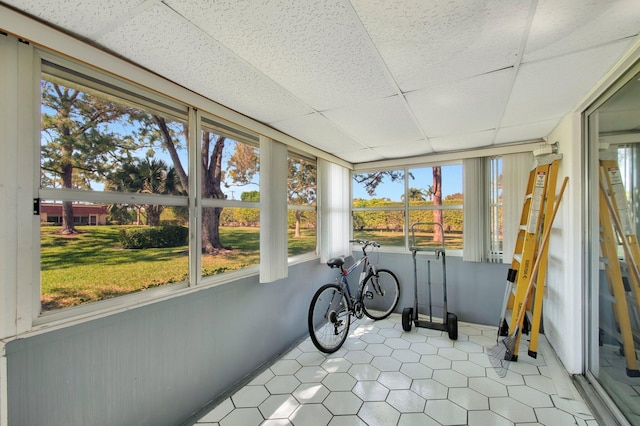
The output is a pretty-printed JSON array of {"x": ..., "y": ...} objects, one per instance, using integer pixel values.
[{"x": 538, "y": 204}]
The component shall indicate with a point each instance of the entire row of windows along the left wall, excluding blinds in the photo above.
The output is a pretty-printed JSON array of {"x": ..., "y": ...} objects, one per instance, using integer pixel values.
[{"x": 127, "y": 175}]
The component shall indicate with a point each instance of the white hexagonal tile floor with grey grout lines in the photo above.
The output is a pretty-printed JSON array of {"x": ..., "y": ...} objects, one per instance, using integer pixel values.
[{"x": 385, "y": 376}]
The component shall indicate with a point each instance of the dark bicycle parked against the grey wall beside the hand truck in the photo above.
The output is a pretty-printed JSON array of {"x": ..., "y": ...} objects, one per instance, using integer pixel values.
[{"x": 333, "y": 304}]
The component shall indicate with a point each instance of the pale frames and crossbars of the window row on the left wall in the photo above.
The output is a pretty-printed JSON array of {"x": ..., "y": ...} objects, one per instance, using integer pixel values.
[{"x": 195, "y": 118}]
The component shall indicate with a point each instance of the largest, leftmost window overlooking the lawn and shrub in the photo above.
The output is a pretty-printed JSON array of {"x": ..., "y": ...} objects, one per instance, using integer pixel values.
[{"x": 113, "y": 190}]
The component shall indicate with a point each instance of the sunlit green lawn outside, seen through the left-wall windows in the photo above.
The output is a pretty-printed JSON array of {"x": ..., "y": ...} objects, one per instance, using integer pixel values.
[{"x": 92, "y": 266}]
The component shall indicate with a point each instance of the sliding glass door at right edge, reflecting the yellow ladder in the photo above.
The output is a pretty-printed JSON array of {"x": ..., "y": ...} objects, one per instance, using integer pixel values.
[{"x": 614, "y": 209}]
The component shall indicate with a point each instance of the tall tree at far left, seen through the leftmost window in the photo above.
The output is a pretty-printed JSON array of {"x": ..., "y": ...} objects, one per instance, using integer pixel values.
[{"x": 78, "y": 146}]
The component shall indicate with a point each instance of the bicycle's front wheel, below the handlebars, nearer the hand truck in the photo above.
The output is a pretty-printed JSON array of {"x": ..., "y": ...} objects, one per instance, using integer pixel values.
[{"x": 380, "y": 294}]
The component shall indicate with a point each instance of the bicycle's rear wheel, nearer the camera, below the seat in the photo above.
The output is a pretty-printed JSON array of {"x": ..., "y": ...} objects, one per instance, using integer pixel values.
[{"x": 329, "y": 318}]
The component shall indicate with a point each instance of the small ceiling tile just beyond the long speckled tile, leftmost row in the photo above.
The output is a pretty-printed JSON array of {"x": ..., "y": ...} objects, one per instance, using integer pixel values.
[{"x": 318, "y": 131}]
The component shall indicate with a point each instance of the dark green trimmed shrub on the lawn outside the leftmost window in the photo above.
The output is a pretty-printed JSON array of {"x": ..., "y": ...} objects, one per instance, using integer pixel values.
[{"x": 154, "y": 237}]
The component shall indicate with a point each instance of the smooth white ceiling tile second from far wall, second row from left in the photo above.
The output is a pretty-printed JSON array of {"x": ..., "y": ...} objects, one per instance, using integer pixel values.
[{"x": 383, "y": 121}]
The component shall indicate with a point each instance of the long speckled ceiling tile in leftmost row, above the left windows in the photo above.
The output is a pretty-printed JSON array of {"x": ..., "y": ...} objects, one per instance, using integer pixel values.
[{"x": 182, "y": 53}]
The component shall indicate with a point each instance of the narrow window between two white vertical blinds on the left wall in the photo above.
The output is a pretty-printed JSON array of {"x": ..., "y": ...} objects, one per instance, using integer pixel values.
[{"x": 301, "y": 199}]
